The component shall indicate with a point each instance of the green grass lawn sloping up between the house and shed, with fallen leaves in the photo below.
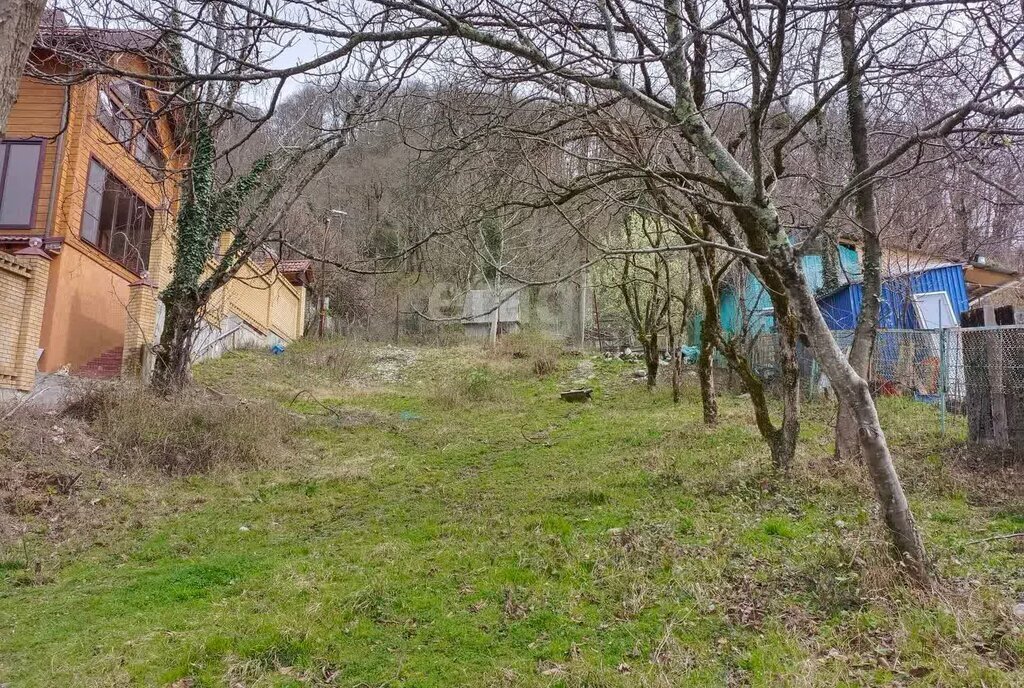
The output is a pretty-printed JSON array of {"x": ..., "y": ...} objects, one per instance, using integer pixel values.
[{"x": 470, "y": 529}]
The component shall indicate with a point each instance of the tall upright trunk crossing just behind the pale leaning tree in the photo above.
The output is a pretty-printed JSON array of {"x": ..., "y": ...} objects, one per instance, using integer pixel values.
[{"x": 847, "y": 444}]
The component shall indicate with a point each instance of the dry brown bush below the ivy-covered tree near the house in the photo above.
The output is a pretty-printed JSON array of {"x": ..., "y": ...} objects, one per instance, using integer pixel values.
[{"x": 189, "y": 434}]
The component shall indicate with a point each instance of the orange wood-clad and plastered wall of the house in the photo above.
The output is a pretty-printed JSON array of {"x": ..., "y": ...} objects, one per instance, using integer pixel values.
[{"x": 89, "y": 291}]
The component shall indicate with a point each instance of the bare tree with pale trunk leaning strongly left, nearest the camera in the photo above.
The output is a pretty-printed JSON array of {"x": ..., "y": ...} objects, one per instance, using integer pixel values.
[{"x": 612, "y": 51}]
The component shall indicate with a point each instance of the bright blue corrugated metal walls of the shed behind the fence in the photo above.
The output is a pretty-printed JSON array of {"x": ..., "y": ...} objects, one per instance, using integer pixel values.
[{"x": 841, "y": 308}]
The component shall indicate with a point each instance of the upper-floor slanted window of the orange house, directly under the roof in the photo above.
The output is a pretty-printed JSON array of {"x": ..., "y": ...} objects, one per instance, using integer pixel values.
[{"x": 123, "y": 110}]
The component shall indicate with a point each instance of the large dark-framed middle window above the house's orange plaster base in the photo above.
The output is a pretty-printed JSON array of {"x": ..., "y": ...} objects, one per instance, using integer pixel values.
[{"x": 116, "y": 221}]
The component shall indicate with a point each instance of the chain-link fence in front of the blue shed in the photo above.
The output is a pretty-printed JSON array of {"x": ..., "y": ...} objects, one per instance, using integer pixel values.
[{"x": 972, "y": 372}]
